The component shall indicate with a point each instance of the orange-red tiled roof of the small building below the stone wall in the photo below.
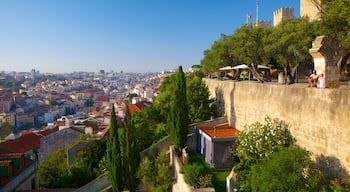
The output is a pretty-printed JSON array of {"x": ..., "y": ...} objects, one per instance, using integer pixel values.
[{"x": 222, "y": 131}]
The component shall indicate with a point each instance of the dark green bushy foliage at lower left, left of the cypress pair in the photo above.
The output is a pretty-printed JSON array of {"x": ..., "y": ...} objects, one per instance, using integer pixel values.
[{"x": 54, "y": 171}]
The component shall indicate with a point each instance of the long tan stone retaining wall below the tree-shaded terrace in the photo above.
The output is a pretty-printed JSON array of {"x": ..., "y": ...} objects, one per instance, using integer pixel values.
[{"x": 319, "y": 118}]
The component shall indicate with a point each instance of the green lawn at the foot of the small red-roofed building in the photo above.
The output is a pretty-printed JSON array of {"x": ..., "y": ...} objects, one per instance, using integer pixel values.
[{"x": 219, "y": 175}]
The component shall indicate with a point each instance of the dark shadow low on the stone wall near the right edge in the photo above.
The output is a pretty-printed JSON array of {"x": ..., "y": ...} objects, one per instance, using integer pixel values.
[{"x": 331, "y": 167}]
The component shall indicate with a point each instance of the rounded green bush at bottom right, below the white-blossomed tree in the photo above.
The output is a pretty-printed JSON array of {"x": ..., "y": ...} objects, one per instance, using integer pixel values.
[{"x": 289, "y": 169}]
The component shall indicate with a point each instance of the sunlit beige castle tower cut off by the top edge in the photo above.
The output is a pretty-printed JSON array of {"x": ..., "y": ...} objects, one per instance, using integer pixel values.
[{"x": 311, "y": 9}]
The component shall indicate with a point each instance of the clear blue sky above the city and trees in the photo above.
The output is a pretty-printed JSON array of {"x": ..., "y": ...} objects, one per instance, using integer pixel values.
[{"x": 131, "y": 35}]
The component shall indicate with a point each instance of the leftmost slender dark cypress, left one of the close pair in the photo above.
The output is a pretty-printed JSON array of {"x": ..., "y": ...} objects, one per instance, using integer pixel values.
[{"x": 115, "y": 173}]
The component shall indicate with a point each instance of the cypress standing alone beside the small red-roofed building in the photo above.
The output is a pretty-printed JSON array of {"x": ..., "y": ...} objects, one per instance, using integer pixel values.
[{"x": 178, "y": 114}]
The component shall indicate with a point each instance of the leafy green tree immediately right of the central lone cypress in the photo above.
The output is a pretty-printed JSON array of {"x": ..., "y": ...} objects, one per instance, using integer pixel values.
[{"x": 198, "y": 100}]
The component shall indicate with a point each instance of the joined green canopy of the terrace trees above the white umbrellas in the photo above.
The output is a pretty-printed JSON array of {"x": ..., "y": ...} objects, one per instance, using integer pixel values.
[{"x": 285, "y": 45}]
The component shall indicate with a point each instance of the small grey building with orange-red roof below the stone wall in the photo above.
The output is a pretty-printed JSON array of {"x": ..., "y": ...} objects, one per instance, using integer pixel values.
[{"x": 214, "y": 143}]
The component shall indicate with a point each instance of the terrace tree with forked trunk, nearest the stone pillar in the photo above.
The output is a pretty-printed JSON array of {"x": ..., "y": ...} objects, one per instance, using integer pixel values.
[{"x": 289, "y": 43}]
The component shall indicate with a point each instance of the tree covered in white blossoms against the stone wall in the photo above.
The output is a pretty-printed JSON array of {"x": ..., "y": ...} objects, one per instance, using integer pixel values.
[{"x": 256, "y": 142}]
